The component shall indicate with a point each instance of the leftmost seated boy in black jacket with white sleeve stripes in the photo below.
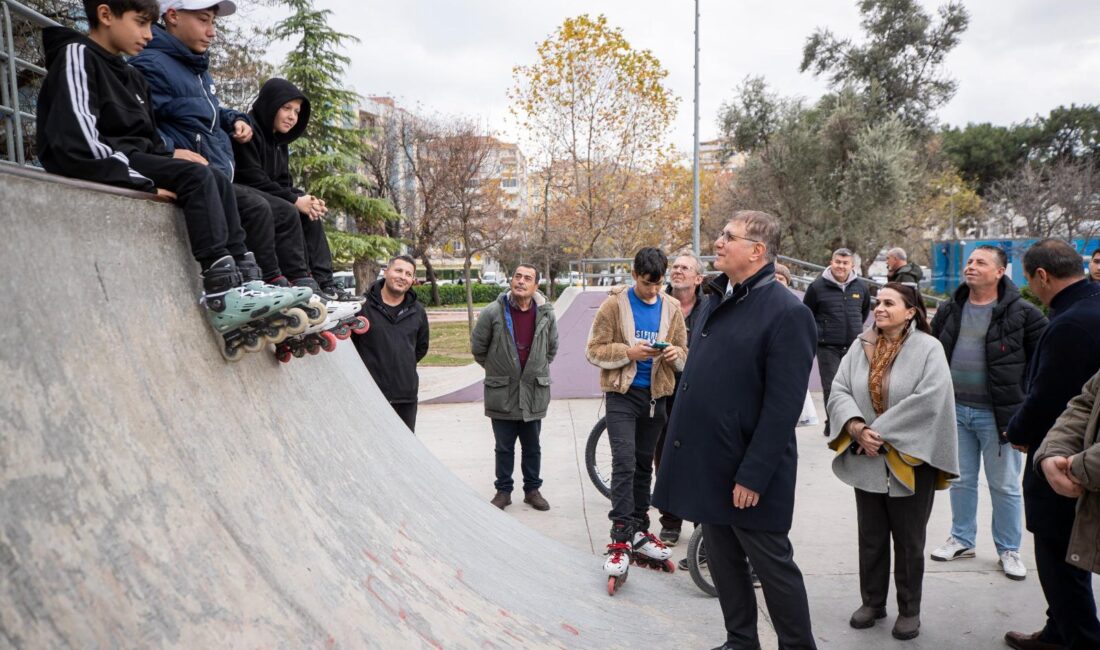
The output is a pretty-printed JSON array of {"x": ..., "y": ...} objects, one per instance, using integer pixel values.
[{"x": 95, "y": 122}]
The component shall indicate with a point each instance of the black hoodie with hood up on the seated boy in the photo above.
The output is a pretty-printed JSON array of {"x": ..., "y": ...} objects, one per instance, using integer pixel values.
[{"x": 263, "y": 162}]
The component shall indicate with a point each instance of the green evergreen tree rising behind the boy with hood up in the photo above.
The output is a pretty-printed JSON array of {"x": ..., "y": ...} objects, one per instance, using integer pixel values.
[{"x": 327, "y": 160}]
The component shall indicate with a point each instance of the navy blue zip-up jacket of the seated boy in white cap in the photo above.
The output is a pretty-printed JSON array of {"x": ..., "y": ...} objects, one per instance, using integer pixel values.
[{"x": 189, "y": 114}]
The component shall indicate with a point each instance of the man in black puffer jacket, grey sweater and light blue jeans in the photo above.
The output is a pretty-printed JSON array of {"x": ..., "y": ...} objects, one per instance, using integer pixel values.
[{"x": 989, "y": 335}]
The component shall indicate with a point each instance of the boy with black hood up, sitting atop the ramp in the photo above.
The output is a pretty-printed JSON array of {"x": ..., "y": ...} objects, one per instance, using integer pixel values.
[{"x": 281, "y": 116}]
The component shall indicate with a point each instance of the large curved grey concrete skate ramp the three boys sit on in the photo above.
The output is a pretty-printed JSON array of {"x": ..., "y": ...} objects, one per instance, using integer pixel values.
[{"x": 153, "y": 495}]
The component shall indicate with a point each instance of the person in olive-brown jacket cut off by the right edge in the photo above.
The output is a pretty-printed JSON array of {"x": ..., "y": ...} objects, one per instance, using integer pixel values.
[{"x": 1070, "y": 458}]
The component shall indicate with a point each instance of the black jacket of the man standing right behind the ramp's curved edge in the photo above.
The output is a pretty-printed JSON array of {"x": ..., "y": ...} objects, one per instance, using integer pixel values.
[{"x": 395, "y": 344}]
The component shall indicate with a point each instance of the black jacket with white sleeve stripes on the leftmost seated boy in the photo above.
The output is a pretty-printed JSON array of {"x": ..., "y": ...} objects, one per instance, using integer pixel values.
[{"x": 94, "y": 112}]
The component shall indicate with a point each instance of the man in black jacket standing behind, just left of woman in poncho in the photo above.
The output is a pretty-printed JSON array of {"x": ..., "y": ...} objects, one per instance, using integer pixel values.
[{"x": 840, "y": 303}]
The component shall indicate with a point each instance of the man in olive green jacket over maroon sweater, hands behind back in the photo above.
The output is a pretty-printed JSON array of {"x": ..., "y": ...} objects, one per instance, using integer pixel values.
[{"x": 515, "y": 340}]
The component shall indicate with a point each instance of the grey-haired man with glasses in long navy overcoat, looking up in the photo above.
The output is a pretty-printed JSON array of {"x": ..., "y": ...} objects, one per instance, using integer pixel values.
[{"x": 731, "y": 456}]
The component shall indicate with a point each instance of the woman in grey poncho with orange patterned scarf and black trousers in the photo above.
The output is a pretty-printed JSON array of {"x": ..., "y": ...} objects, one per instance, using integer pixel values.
[{"x": 892, "y": 411}]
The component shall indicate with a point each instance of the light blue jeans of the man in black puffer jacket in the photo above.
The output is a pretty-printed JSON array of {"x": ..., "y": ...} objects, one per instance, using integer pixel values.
[{"x": 980, "y": 440}]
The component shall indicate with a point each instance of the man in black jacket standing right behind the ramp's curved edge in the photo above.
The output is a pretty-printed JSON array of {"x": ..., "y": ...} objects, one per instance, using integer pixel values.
[{"x": 398, "y": 339}]
